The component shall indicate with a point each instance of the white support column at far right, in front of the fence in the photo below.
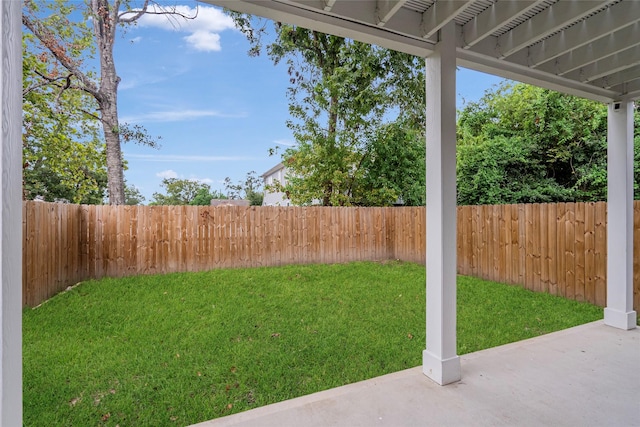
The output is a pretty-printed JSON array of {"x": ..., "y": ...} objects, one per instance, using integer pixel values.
[{"x": 619, "y": 311}]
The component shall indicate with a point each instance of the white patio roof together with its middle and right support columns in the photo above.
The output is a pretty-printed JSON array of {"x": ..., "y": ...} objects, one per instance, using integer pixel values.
[{"x": 588, "y": 48}]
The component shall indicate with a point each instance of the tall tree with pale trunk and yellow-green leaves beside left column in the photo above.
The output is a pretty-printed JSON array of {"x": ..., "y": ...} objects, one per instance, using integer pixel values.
[{"x": 61, "y": 40}]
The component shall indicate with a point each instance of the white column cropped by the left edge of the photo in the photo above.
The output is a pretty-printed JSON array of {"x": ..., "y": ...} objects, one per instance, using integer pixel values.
[{"x": 11, "y": 213}]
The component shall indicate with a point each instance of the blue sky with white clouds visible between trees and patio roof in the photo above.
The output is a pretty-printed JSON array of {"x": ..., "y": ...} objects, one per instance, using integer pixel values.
[{"x": 217, "y": 110}]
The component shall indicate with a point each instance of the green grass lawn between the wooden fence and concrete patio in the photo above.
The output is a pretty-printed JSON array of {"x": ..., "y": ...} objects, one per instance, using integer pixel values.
[{"x": 182, "y": 348}]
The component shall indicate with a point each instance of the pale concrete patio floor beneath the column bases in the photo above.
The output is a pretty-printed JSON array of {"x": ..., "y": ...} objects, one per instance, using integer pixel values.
[{"x": 584, "y": 376}]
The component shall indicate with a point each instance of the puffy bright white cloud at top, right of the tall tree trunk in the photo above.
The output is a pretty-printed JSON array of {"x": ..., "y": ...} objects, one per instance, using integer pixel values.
[{"x": 202, "y": 30}]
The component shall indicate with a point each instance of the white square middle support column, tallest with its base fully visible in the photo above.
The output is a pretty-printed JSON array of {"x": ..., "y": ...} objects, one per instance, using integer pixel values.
[{"x": 440, "y": 361}]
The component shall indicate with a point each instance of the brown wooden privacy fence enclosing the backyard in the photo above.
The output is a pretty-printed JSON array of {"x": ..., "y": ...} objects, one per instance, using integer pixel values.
[{"x": 555, "y": 248}]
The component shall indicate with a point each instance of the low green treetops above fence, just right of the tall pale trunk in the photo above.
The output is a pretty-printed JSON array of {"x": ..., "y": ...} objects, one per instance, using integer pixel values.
[{"x": 184, "y": 192}]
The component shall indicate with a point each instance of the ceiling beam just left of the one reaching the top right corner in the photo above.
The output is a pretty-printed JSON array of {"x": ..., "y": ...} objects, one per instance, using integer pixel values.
[{"x": 545, "y": 23}]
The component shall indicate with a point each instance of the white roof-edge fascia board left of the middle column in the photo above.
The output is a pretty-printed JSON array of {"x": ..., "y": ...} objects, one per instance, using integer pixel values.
[{"x": 317, "y": 20}]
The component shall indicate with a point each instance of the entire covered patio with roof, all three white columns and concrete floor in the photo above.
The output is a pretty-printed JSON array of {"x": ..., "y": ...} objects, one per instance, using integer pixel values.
[{"x": 588, "y": 48}]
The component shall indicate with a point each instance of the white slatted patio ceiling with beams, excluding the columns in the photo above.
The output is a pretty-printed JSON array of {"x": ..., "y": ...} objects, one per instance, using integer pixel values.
[{"x": 589, "y": 48}]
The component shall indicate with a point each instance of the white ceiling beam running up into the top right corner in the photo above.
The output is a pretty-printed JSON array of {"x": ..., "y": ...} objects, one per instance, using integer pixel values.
[{"x": 616, "y": 17}]
